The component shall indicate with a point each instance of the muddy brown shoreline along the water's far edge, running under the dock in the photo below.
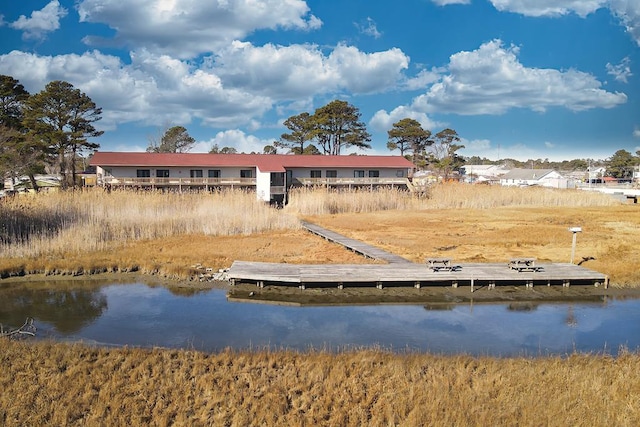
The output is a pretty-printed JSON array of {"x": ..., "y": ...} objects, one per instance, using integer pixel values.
[{"x": 437, "y": 296}]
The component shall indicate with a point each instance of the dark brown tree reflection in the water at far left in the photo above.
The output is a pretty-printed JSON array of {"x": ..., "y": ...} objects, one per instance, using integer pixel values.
[{"x": 68, "y": 310}]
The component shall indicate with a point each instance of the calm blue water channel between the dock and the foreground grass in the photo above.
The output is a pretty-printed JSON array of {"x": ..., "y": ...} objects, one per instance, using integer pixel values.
[{"x": 139, "y": 315}]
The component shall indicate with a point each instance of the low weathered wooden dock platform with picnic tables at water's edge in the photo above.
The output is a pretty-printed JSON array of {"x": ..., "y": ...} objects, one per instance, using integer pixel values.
[{"x": 473, "y": 275}]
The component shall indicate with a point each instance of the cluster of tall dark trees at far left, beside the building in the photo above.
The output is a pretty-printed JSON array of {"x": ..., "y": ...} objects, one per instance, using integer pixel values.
[{"x": 47, "y": 130}]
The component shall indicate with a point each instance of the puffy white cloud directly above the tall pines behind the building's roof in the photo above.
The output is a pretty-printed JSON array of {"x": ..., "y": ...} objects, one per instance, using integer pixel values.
[{"x": 291, "y": 72}]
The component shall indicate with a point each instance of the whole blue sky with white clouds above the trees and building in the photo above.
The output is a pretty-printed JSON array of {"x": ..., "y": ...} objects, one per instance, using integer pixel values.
[{"x": 523, "y": 79}]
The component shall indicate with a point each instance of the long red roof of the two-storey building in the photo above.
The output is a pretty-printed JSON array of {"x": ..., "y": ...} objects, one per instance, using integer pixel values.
[{"x": 264, "y": 162}]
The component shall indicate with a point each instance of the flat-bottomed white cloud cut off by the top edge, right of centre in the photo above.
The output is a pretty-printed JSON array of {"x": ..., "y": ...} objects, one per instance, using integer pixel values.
[{"x": 549, "y": 7}]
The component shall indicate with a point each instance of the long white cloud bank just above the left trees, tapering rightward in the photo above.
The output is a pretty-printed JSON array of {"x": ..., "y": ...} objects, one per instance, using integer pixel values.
[{"x": 152, "y": 89}]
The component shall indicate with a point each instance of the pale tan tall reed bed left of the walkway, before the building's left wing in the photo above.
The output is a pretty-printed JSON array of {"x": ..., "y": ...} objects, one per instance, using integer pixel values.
[{"x": 94, "y": 220}]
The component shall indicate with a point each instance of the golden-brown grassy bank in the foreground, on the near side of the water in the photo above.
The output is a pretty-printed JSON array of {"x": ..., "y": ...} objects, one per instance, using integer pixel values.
[{"x": 59, "y": 384}]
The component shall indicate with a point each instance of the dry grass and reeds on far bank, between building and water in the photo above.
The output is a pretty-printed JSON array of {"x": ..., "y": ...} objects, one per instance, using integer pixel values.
[{"x": 156, "y": 233}]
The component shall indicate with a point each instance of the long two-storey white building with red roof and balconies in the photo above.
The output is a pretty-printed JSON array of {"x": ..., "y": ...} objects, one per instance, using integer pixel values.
[{"x": 271, "y": 175}]
